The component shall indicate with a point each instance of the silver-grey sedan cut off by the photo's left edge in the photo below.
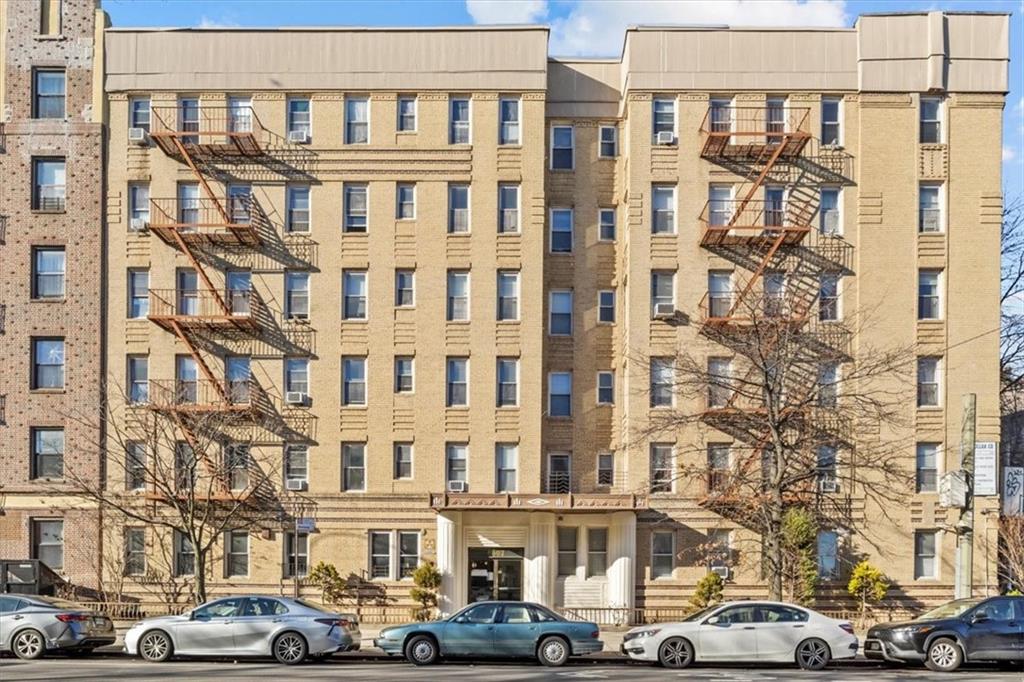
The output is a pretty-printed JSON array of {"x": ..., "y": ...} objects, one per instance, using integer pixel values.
[{"x": 33, "y": 625}]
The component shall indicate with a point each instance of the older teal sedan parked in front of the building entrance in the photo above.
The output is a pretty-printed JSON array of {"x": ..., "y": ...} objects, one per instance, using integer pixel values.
[{"x": 487, "y": 629}]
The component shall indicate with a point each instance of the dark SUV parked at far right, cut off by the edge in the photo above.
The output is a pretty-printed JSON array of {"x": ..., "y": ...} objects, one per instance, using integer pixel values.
[{"x": 983, "y": 629}]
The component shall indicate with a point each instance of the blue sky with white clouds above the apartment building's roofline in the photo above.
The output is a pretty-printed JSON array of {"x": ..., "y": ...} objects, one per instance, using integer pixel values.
[{"x": 591, "y": 28}]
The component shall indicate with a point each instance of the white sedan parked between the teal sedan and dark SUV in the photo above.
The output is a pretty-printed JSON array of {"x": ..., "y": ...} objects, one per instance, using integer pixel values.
[{"x": 745, "y": 631}]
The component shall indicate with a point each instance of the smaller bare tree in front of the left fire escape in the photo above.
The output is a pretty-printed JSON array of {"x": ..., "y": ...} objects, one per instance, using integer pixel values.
[{"x": 191, "y": 468}]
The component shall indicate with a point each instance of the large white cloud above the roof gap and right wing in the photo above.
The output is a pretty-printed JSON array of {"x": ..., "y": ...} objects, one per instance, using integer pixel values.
[{"x": 598, "y": 28}]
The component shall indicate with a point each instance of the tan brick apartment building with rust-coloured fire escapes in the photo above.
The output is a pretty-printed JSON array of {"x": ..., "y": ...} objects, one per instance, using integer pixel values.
[{"x": 439, "y": 258}]
